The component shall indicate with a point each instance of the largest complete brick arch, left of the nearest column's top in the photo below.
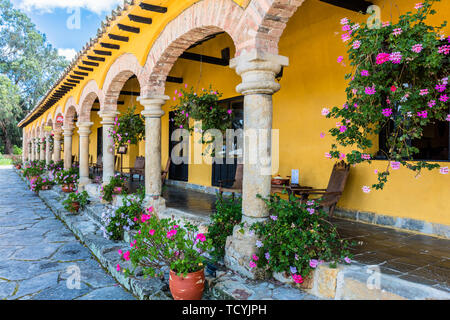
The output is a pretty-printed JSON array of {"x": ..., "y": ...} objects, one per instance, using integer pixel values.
[{"x": 195, "y": 23}]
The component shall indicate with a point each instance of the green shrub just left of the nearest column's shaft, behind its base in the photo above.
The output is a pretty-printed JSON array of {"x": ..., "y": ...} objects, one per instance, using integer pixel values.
[{"x": 228, "y": 214}]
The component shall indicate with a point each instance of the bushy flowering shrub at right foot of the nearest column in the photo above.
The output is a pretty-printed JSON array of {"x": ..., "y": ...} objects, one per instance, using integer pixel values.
[{"x": 296, "y": 238}]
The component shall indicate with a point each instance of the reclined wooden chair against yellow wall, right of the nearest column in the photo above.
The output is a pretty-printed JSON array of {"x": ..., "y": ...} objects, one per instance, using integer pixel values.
[{"x": 331, "y": 195}]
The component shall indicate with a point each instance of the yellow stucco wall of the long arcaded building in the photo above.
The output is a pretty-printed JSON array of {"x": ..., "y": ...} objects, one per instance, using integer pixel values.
[{"x": 312, "y": 81}]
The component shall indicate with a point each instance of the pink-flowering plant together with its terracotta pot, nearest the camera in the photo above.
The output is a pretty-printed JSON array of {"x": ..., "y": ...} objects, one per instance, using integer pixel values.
[{"x": 164, "y": 243}]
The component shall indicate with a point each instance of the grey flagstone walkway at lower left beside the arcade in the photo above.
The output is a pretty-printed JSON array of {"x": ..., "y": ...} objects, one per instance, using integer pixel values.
[{"x": 40, "y": 258}]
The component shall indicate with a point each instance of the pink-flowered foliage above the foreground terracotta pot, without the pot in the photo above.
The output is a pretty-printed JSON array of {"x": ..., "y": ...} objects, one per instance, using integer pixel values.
[{"x": 164, "y": 242}]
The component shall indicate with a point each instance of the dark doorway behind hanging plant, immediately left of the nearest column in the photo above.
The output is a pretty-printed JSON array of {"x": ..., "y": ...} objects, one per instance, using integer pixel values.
[{"x": 226, "y": 171}]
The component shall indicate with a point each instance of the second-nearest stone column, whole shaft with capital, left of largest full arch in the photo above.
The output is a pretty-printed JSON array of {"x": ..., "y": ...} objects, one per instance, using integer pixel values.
[{"x": 153, "y": 113}]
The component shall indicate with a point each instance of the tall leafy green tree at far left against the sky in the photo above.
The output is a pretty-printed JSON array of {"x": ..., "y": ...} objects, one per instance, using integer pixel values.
[{"x": 28, "y": 61}]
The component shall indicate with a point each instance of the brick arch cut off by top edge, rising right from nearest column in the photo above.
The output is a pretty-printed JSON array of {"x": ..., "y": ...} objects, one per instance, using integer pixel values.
[{"x": 263, "y": 24}]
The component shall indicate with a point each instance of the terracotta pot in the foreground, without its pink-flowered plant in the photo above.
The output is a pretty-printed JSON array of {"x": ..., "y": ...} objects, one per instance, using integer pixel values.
[{"x": 187, "y": 288}]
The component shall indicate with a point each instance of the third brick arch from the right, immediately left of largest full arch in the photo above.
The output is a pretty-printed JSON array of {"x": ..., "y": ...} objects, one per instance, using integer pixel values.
[{"x": 120, "y": 71}]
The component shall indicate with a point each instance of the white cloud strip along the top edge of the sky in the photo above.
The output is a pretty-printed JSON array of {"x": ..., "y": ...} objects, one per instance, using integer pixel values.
[{"x": 97, "y": 6}]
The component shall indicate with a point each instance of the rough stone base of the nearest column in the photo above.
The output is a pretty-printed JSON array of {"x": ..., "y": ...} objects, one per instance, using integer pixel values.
[{"x": 239, "y": 249}]
